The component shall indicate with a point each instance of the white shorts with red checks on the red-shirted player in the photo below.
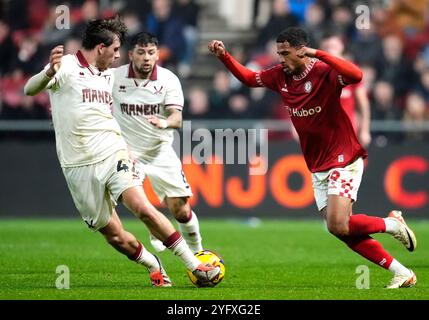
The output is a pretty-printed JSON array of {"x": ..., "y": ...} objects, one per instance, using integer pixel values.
[{"x": 343, "y": 182}]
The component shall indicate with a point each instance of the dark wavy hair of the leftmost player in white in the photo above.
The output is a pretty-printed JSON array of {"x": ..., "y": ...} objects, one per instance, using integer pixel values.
[{"x": 103, "y": 31}]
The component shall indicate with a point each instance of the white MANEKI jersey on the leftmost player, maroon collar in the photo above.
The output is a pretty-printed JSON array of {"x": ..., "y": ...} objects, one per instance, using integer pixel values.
[{"x": 85, "y": 130}]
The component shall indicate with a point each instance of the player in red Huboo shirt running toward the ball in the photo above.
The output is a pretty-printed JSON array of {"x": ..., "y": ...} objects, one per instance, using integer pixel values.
[{"x": 310, "y": 82}]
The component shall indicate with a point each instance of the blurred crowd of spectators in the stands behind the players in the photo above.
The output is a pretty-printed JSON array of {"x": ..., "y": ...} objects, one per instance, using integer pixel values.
[{"x": 393, "y": 52}]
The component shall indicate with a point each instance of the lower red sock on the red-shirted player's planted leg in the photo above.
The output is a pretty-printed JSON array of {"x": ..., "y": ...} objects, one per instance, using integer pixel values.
[{"x": 370, "y": 249}]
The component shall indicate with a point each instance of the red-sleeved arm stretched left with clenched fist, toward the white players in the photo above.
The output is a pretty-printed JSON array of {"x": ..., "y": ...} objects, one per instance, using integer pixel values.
[{"x": 246, "y": 76}]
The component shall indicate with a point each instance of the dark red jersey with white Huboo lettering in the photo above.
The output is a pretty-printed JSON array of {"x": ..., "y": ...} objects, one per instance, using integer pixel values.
[{"x": 312, "y": 98}]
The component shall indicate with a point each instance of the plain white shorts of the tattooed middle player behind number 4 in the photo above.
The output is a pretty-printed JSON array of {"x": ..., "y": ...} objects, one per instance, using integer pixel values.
[{"x": 165, "y": 174}]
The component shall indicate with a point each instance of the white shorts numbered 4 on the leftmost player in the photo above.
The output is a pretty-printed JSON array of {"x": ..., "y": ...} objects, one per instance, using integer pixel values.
[{"x": 96, "y": 188}]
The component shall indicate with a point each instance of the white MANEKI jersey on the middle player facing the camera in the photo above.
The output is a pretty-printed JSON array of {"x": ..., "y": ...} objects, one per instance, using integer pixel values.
[{"x": 134, "y": 99}]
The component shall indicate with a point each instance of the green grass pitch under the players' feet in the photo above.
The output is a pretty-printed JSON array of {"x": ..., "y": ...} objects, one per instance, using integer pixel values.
[{"x": 277, "y": 259}]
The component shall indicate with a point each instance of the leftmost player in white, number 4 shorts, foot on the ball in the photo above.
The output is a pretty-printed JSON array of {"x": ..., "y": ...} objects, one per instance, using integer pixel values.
[{"x": 93, "y": 154}]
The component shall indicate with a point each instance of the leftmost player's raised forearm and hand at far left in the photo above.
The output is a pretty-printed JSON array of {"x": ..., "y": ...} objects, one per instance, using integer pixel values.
[{"x": 38, "y": 82}]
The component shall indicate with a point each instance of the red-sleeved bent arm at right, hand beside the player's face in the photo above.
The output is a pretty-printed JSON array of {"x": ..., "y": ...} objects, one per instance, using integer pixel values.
[{"x": 349, "y": 71}]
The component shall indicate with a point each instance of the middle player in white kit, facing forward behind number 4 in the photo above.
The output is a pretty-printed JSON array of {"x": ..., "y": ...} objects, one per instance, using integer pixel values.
[{"x": 147, "y": 103}]
